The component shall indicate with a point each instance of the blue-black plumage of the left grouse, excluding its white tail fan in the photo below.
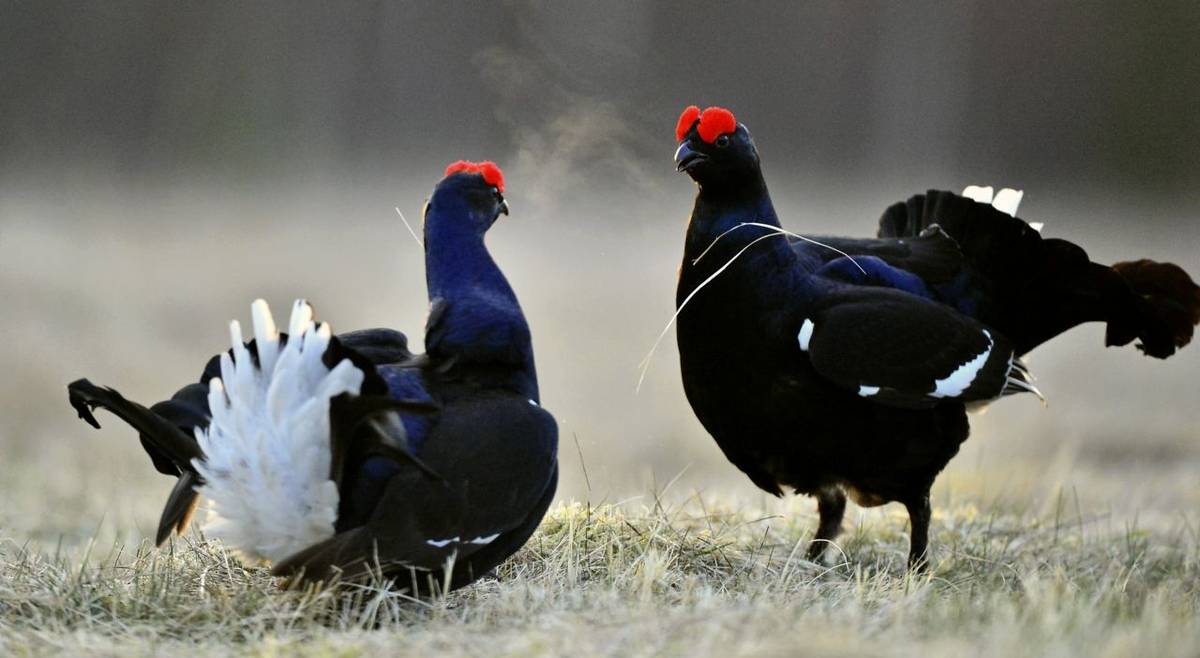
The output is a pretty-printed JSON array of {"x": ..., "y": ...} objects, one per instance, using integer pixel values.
[{"x": 469, "y": 482}]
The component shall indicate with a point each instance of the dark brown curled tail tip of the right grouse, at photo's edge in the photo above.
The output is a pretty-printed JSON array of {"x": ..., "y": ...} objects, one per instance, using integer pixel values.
[{"x": 1169, "y": 312}]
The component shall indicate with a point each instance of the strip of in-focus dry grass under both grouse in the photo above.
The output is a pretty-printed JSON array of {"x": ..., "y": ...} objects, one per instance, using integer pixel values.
[{"x": 692, "y": 578}]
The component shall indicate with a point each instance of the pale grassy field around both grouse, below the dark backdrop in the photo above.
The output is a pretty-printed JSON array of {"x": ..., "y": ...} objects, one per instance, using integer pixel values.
[{"x": 1058, "y": 533}]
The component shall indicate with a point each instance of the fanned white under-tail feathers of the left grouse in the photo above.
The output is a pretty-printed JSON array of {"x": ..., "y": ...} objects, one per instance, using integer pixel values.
[{"x": 267, "y": 453}]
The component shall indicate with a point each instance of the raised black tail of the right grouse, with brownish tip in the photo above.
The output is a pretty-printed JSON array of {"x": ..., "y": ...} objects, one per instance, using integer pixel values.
[{"x": 1042, "y": 288}]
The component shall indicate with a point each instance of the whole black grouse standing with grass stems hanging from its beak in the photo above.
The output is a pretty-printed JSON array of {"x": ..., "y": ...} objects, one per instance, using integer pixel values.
[{"x": 848, "y": 368}]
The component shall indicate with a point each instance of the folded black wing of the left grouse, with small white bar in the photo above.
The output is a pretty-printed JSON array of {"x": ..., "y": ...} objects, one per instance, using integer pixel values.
[{"x": 499, "y": 457}]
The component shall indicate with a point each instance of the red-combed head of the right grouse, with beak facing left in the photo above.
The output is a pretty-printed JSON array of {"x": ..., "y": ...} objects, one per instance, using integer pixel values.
[{"x": 715, "y": 148}]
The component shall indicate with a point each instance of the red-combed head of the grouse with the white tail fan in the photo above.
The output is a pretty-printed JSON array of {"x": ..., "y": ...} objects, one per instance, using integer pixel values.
[{"x": 471, "y": 194}]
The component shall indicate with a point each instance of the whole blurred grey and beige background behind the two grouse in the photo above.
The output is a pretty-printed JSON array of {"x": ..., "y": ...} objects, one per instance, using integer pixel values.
[{"x": 165, "y": 164}]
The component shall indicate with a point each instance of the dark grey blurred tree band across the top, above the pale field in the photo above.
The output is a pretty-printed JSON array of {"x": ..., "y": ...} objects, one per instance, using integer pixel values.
[{"x": 1041, "y": 92}]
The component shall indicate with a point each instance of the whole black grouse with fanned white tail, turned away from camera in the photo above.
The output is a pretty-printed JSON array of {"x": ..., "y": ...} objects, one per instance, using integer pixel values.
[{"x": 337, "y": 456}]
